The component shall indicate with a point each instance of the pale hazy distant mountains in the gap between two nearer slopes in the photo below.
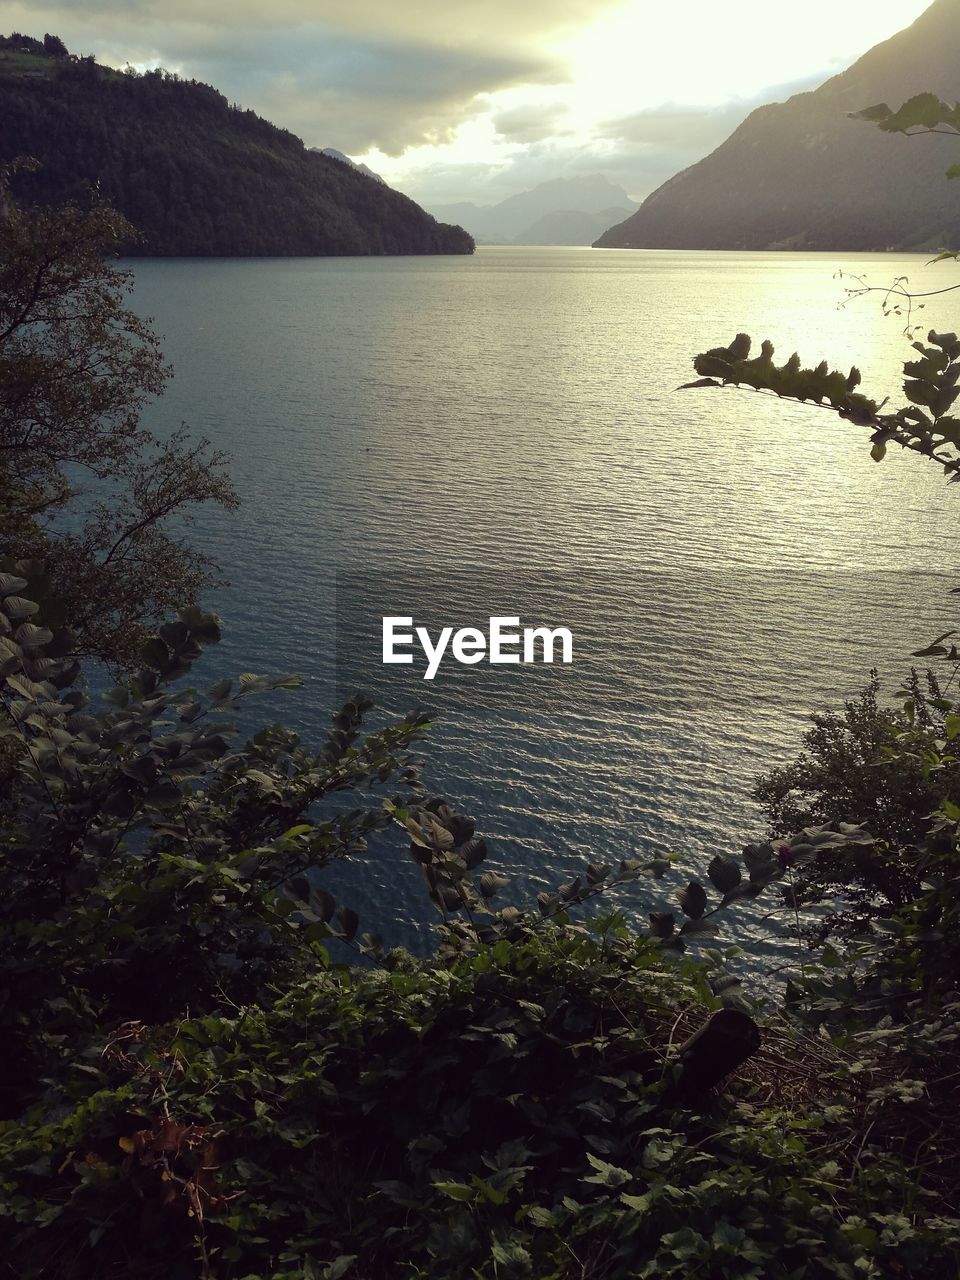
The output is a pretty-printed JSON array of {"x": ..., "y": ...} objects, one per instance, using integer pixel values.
[{"x": 564, "y": 212}]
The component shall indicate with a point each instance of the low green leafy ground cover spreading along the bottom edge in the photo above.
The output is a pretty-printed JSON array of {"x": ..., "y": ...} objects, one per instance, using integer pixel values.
[{"x": 516, "y": 1112}]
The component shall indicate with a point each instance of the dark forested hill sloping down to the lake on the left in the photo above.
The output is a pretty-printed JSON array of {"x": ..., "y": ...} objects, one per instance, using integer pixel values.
[{"x": 193, "y": 173}]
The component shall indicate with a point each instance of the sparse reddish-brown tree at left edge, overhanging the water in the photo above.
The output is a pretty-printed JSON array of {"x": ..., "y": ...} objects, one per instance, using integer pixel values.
[{"x": 84, "y": 486}]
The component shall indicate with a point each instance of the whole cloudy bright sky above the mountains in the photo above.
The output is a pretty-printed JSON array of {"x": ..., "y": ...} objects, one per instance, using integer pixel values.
[{"x": 454, "y": 100}]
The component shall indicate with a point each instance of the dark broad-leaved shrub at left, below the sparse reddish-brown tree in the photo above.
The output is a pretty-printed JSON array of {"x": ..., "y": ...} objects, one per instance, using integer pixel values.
[{"x": 145, "y": 867}]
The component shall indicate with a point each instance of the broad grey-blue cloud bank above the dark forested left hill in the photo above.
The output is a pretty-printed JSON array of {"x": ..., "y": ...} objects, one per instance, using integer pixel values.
[{"x": 359, "y": 75}]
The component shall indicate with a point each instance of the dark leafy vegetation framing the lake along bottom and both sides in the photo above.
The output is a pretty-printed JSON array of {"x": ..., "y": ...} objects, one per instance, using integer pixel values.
[{"x": 212, "y": 1072}]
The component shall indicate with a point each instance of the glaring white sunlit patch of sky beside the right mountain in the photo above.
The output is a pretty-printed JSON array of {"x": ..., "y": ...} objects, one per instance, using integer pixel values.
[{"x": 644, "y": 56}]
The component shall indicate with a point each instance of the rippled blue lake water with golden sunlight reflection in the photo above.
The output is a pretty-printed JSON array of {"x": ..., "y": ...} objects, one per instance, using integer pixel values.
[{"x": 454, "y": 438}]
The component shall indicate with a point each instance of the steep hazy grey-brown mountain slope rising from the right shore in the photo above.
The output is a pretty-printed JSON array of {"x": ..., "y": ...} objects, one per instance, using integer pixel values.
[{"x": 802, "y": 175}]
